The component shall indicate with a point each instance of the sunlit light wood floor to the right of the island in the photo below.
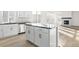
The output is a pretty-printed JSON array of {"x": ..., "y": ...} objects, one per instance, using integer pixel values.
[{"x": 68, "y": 37}]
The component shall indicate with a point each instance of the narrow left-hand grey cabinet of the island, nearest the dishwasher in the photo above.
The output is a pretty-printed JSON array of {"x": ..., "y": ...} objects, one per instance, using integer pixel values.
[{"x": 30, "y": 33}]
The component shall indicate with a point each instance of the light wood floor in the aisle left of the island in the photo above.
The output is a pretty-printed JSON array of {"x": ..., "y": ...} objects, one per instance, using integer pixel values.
[{"x": 15, "y": 41}]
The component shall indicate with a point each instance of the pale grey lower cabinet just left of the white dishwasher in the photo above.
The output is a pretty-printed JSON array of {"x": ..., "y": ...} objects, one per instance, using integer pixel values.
[{"x": 10, "y": 30}]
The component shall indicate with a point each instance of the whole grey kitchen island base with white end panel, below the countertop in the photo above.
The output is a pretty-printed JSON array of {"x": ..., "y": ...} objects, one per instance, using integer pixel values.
[{"x": 41, "y": 37}]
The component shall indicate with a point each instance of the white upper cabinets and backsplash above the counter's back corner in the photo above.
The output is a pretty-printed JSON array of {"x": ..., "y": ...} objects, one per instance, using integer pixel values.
[{"x": 24, "y": 16}]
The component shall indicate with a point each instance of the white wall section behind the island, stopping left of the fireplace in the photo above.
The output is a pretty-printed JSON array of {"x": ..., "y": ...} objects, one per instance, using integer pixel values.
[{"x": 50, "y": 17}]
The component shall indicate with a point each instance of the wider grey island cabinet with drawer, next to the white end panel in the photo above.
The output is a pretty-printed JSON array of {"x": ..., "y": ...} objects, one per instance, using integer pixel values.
[{"x": 41, "y": 37}]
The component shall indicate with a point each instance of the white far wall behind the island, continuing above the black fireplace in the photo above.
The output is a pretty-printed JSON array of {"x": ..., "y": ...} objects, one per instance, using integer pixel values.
[{"x": 54, "y": 17}]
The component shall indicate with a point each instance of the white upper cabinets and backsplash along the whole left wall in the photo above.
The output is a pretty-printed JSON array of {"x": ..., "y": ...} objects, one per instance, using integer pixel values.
[{"x": 16, "y": 16}]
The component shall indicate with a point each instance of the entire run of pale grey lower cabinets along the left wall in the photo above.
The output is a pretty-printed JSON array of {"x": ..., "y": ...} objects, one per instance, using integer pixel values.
[{"x": 8, "y": 30}]
